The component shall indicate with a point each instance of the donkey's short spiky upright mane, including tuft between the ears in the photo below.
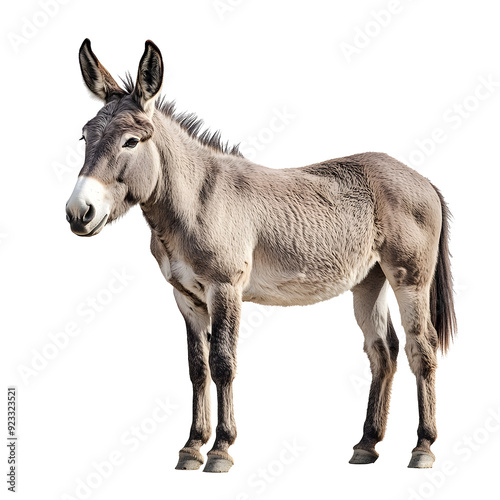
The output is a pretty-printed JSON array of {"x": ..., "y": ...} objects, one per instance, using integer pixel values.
[{"x": 189, "y": 122}]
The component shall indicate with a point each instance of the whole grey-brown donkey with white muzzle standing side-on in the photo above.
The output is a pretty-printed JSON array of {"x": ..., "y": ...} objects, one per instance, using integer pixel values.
[{"x": 226, "y": 230}]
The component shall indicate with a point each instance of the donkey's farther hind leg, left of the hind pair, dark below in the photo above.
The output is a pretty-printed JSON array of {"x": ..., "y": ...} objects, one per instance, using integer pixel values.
[{"x": 381, "y": 345}]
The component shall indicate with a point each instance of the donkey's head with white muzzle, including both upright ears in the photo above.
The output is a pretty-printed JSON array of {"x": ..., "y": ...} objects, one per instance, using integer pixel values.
[{"x": 121, "y": 165}]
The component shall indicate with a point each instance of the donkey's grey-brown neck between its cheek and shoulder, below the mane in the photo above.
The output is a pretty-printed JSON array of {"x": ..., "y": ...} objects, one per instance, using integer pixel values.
[{"x": 184, "y": 165}]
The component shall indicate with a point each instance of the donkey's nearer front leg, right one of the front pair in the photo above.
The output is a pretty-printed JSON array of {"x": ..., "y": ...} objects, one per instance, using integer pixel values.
[{"x": 225, "y": 309}]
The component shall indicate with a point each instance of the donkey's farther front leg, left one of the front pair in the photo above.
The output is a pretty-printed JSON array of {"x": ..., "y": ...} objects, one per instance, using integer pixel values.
[{"x": 198, "y": 331}]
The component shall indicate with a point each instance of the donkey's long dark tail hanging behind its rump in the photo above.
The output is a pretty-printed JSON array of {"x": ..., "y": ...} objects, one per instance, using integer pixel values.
[{"x": 441, "y": 298}]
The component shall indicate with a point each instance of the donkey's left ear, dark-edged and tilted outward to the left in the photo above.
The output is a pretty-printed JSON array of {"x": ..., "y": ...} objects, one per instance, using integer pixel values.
[{"x": 97, "y": 78}]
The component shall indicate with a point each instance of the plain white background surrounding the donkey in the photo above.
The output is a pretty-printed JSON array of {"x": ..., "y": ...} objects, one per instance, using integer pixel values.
[{"x": 302, "y": 375}]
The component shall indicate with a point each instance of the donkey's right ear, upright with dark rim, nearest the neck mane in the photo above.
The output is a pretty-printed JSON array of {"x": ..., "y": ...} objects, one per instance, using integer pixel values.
[{"x": 149, "y": 77}]
